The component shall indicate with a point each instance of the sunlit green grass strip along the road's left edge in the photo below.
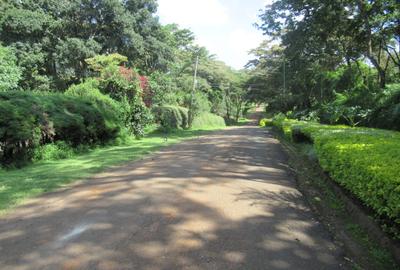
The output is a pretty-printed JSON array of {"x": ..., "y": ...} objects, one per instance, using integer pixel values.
[{"x": 17, "y": 185}]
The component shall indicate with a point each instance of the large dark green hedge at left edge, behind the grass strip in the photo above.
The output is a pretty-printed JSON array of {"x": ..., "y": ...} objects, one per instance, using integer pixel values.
[{"x": 28, "y": 120}]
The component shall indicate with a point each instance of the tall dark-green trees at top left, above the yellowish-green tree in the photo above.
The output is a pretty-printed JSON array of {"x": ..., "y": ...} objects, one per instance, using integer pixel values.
[{"x": 53, "y": 38}]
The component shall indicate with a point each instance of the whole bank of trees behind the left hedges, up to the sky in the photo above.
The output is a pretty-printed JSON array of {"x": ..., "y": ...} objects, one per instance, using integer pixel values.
[{"x": 59, "y": 43}]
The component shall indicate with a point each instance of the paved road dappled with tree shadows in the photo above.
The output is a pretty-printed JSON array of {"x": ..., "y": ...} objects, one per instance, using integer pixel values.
[{"x": 222, "y": 201}]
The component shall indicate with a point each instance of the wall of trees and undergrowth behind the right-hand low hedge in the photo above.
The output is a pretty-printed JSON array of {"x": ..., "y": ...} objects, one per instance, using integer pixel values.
[{"x": 334, "y": 61}]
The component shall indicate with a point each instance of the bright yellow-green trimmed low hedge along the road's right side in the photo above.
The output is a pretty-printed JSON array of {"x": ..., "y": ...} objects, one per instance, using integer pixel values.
[{"x": 365, "y": 161}]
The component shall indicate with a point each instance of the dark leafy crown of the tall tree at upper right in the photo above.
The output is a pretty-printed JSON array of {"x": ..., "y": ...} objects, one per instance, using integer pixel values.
[{"x": 334, "y": 31}]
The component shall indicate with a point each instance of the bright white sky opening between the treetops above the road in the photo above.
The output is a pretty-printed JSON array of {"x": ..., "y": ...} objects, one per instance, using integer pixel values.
[{"x": 224, "y": 27}]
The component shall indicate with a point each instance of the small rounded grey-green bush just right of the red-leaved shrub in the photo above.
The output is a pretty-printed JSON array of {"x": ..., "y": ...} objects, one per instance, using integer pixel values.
[{"x": 171, "y": 117}]
